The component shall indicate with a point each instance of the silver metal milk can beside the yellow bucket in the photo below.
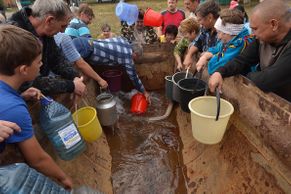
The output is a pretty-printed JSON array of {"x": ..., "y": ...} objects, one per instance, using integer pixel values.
[{"x": 106, "y": 109}]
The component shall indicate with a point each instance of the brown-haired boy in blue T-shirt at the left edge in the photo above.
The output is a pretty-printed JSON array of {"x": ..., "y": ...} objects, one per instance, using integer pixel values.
[{"x": 20, "y": 54}]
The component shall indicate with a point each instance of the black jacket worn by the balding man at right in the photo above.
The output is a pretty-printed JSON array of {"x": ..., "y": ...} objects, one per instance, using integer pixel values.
[{"x": 274, "y": 74}]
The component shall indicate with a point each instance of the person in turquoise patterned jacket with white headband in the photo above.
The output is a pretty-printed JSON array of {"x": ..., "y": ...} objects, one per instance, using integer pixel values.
[{"x": 232, "y": 35}]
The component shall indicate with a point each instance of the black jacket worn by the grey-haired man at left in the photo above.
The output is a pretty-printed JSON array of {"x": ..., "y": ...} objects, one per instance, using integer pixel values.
[{"x": 53, "y": 60}]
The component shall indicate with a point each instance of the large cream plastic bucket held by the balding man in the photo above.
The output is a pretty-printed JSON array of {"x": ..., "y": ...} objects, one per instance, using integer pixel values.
[{"x": 203, "y": 112}]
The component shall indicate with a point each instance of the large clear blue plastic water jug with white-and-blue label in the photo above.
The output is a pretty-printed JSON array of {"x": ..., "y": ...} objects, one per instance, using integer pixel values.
[{"x": 57, "y": 122}]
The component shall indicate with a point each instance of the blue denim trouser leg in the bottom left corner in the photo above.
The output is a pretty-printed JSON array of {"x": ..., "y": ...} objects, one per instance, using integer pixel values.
[{"x": 20, "y": 179}]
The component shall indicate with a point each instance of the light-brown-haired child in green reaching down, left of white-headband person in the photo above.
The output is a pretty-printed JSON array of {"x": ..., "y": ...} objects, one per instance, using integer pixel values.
[{"x": 189, "y": 29}]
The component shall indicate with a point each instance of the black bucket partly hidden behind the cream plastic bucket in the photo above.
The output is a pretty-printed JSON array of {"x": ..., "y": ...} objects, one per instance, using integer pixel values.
[{"x": 188, "y": 91}]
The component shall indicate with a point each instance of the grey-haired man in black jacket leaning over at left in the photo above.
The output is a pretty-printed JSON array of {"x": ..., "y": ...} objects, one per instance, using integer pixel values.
[{"x": 45, "y": 19}]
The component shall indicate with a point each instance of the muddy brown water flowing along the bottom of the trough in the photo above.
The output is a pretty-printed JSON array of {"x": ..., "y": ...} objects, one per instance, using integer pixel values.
[{"x": 146, "y": 157}]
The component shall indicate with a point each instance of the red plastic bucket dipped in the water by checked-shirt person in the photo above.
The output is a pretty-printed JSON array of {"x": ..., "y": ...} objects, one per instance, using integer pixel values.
[{"x": 139, "y": 104}]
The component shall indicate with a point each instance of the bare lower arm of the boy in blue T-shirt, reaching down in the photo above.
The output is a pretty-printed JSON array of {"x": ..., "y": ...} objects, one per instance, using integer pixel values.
[{"x": 37, "y": 158}]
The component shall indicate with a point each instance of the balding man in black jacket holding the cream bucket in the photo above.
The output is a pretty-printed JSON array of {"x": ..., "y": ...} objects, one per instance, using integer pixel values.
[{"x": 271, "y": 50}]
